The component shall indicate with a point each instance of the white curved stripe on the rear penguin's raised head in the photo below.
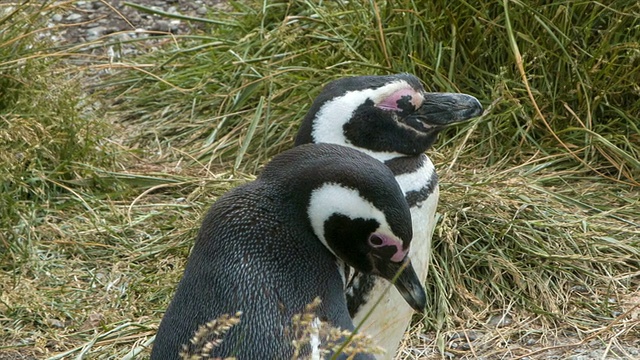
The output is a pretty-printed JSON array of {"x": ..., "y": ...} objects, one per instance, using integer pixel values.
[{"x": 330, "y": 120}]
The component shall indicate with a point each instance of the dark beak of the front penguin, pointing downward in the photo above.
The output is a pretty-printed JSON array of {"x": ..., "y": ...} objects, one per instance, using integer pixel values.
[{"x": 404, "y": 277}]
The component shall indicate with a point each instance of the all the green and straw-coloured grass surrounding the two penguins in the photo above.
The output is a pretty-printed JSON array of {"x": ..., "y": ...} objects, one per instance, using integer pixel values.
[{"x": 539, "y": 201}]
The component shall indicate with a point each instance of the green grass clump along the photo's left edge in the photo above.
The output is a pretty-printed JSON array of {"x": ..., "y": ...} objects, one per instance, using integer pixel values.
[{"x": 47, "y": 139}]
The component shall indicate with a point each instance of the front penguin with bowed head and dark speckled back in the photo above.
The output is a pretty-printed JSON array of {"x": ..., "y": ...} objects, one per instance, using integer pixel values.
[{"x": 269, "y": 247}]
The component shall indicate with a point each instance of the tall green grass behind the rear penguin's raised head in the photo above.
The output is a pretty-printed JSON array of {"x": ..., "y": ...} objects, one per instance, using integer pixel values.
[{"x": 270, "y": 59}]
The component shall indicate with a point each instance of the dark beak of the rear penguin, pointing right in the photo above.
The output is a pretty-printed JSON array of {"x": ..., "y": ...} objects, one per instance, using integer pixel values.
[{"x": 448, "y": 108}]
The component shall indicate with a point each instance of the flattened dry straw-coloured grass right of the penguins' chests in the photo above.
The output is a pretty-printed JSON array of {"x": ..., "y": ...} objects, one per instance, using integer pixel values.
[{"x": 509, "y": 240}]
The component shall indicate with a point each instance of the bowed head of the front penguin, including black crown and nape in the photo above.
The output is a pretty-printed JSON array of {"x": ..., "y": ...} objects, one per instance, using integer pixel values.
[{"x": 353, "y": 205}]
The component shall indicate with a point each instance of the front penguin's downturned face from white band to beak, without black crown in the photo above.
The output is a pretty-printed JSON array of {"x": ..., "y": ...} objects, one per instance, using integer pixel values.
[{"x": 367, "y": 235}]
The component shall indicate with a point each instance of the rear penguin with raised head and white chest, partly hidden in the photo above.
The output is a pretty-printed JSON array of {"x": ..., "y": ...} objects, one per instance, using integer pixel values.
[{"x": 393, "y": 119}]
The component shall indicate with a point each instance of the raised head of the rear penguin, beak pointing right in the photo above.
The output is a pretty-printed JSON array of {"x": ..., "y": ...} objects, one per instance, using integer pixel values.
[{"x": 383, "y": 116}]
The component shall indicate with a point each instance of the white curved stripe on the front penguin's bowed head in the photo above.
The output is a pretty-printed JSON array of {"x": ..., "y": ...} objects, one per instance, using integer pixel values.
[{"x": 332, "y": 199}]
